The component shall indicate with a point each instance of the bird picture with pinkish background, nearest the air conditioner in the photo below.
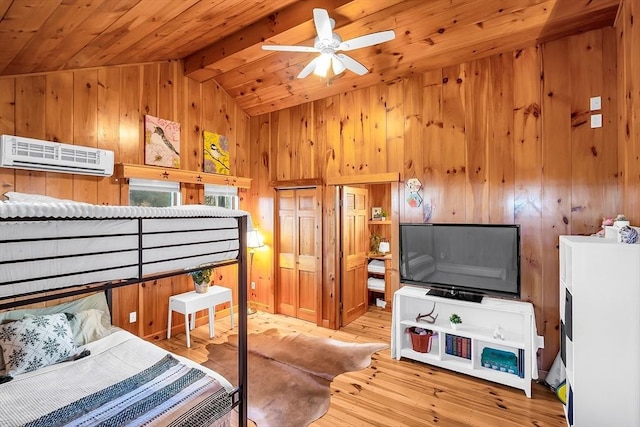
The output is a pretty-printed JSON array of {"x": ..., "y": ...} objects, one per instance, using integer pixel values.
[{"x": 161, "y": 142}]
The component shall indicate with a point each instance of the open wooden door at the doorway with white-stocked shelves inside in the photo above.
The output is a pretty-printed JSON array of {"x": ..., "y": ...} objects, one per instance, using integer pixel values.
[{"x": 355, "y": 246}]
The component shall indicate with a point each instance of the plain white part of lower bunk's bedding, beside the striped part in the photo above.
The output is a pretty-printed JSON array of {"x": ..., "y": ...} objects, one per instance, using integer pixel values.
[{"x": 113, "y": 358}]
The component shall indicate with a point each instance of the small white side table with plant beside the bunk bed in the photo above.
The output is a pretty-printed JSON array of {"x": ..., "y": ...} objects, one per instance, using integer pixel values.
[{"x": 191, "y": 302}]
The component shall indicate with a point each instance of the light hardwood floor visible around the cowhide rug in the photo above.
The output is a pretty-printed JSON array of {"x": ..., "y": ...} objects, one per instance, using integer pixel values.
[{"x": 397, "y": 393}]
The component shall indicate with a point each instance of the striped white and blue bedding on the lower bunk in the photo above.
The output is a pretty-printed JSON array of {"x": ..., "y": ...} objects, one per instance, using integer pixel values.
[{"x": 122, "y": 375}]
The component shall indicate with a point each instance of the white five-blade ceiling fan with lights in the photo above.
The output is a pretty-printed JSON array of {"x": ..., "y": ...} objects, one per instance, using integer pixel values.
[{"x": 328, "y": 43}]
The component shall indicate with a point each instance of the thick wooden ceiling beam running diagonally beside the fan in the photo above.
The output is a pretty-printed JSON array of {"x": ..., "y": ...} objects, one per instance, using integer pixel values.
[{"x": 247, "y": 43}]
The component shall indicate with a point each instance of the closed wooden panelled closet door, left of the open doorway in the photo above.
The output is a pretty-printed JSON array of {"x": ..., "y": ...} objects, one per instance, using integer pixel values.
[{"x": 299, "y": 259}]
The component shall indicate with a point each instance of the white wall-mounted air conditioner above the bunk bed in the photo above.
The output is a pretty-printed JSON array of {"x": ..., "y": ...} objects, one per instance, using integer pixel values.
[{"x": 27, "y": 153}]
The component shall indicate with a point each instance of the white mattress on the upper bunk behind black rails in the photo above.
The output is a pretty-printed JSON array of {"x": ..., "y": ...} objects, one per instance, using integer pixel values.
[{"x": 101, "y": 242}]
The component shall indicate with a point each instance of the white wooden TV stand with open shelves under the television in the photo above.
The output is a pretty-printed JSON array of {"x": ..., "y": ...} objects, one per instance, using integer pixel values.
[{"x": 516, "y": 320}]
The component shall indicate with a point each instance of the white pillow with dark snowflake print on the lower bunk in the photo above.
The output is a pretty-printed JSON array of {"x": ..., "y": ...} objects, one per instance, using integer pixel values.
[{"x": 35, "y": 342}]
